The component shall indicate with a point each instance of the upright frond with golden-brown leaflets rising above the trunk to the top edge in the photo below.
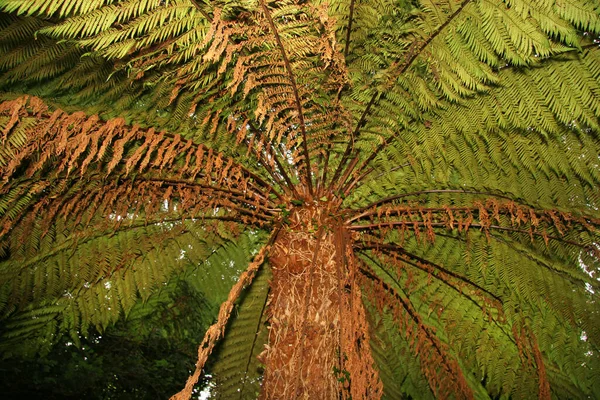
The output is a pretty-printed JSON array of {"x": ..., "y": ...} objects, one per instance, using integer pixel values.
[{"x": 279, "y": 69}]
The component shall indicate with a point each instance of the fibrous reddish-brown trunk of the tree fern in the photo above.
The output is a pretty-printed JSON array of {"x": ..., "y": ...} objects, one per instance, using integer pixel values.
[{"x": 318, "y": 340}]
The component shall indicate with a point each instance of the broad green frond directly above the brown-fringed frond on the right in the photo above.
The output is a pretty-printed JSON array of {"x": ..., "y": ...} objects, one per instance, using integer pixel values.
[{"x": 538, "y": 140}]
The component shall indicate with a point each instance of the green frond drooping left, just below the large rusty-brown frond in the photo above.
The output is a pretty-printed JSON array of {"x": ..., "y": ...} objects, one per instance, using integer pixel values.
[{"x": 107, "y": 277}]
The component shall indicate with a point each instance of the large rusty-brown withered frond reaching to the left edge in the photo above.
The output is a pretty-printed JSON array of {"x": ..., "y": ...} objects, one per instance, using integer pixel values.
[{"x": 75, "y": 166}]
